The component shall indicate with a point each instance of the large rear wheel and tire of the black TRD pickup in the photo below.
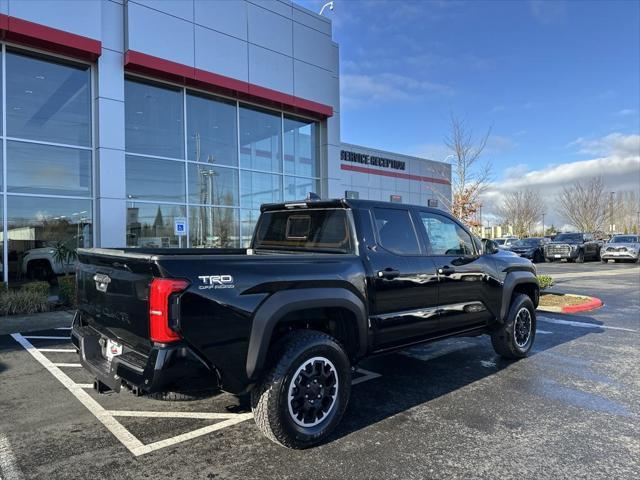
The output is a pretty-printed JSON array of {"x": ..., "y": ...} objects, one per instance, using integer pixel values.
[{"x": 273, "y": 409}]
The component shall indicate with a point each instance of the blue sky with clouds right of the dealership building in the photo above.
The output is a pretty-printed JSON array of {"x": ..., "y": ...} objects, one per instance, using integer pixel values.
[{"x": 558, "y": 84}]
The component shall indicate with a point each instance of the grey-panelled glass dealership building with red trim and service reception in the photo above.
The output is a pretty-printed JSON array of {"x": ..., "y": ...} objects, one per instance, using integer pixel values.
[{"x": 169, "y": 122}]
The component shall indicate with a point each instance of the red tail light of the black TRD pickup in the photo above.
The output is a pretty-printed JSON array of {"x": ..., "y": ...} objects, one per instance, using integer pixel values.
[{"x": 159, "y": 308}]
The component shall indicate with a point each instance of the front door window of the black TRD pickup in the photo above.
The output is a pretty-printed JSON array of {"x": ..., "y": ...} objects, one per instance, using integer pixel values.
[{"x": 445, "y": 237}]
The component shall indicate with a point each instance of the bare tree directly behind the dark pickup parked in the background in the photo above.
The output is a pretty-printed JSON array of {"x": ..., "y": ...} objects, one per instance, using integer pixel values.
[{"x": 583, "y": 204}]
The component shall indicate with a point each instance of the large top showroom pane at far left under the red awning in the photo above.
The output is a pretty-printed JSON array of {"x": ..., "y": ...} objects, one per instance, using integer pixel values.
[{"x": 48, "y": 101}]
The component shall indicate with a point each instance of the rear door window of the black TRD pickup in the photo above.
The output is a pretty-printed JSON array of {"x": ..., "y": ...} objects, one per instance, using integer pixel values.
[{"x": 395, "y": 231}]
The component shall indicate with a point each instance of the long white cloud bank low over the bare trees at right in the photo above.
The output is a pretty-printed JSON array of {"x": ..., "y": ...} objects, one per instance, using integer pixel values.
[{"x": 616, "y": 159}]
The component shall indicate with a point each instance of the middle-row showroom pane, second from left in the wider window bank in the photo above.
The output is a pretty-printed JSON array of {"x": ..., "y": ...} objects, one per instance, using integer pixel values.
[{"x": 213, "y": 186}]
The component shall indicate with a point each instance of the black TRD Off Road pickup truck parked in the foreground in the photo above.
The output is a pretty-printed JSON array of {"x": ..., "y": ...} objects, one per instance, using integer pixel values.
[{"x": 324, "y": 284}]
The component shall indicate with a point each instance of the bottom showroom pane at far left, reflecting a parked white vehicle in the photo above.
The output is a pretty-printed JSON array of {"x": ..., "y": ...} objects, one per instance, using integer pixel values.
[{"x": 35, "y": 224}]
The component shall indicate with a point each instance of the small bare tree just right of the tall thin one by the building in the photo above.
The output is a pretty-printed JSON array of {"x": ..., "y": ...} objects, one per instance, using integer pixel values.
[{"x": 521, "y": 210}]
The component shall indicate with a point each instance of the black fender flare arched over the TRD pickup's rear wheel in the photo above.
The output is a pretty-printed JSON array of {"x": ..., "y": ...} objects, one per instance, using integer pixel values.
[{"x": 282, "y": 303}]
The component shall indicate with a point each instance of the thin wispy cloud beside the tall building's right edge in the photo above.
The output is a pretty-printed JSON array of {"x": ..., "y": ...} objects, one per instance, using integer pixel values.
[{"x": 359, "y": 90}]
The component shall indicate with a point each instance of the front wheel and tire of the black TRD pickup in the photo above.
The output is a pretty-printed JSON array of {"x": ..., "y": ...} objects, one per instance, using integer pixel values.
[{"x": 509, "y": 340}]
